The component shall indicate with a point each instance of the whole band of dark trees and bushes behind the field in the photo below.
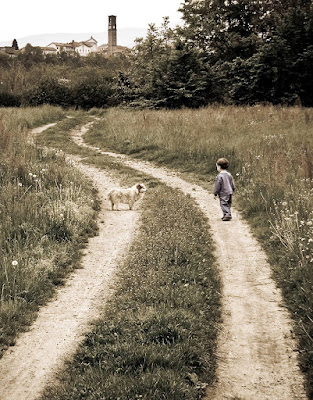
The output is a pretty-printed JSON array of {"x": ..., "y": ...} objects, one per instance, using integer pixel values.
[{"x": 240, "y": 52}]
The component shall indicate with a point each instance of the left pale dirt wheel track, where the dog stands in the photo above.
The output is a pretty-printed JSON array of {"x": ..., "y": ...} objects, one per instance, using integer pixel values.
[{"x": 27, "y": 367}]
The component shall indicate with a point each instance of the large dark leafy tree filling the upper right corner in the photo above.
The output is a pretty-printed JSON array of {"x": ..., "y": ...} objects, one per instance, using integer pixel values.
[{"x": 258, "y": 50}]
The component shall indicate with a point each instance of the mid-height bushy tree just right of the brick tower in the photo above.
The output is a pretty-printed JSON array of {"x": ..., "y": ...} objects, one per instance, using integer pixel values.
[{"x": 166, "y": 71}]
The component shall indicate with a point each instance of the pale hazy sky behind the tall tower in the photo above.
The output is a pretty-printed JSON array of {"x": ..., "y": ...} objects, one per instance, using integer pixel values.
[{"x": 28, "y": 17}]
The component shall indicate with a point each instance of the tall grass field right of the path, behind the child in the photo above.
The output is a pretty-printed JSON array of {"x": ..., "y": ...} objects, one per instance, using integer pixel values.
[{"x": 271, "y": 157}]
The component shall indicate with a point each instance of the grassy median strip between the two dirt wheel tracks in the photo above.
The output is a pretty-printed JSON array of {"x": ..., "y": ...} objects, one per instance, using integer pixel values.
[{"x": 158, "y": 335}]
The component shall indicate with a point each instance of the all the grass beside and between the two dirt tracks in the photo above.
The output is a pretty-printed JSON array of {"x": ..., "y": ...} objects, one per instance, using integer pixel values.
[{"x": 271, "y": 153}]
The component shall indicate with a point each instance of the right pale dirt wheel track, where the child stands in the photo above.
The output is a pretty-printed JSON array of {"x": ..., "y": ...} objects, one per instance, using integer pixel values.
[{"x": 256, "y": 350}]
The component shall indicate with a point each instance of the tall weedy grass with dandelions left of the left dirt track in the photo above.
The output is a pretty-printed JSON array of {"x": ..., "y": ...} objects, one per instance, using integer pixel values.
[{"x": 46, "y": 213}]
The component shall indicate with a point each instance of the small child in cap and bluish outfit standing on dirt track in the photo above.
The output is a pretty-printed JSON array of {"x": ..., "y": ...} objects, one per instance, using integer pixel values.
[{"x": 224, "y": 188}]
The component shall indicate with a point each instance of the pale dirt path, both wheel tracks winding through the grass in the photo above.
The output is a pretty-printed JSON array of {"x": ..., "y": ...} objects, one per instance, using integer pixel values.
[{"x": 256, "y": 349}]
